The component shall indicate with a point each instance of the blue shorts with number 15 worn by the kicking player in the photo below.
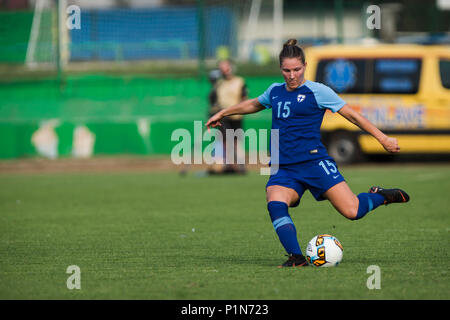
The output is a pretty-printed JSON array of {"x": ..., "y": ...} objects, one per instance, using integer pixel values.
[{"x": 317, "y": 176}]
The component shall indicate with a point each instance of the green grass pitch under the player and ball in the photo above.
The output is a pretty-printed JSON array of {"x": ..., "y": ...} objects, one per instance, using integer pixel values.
[{"x": 162, "y": 236}]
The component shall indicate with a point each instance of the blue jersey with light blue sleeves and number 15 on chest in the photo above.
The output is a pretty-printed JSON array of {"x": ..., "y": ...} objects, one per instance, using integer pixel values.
[{"x": 298, "y": 115}]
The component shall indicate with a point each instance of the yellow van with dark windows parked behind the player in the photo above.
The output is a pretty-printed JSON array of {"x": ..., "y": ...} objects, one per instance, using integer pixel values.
[{"x": 403, "y": 89}]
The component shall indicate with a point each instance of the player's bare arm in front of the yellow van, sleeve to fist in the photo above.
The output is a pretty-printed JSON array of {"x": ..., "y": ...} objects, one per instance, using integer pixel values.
[{"x": 388, "y": 143}]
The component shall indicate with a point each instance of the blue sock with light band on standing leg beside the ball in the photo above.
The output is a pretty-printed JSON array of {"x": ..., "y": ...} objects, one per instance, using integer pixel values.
[{"x": 284, "y": 226}]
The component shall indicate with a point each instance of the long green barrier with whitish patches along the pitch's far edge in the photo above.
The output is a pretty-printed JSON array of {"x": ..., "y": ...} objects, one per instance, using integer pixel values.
[{"x": 108, "y": 115}]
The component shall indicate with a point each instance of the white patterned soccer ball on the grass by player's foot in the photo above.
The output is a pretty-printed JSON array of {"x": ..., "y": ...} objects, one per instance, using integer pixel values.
[{"x": 324, "y": 250}]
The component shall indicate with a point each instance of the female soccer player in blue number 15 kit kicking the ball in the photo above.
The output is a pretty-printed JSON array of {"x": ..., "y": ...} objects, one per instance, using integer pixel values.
[{"x": 298, "y": 106}]
